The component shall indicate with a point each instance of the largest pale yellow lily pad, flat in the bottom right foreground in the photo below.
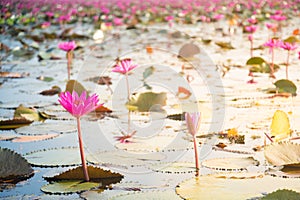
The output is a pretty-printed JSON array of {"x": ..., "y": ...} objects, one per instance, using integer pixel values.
[{"x": 245, "y": 185}]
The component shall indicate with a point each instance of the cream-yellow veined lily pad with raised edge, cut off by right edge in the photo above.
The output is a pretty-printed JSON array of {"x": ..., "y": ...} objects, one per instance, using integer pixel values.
[{"x": 283, "y": 153}]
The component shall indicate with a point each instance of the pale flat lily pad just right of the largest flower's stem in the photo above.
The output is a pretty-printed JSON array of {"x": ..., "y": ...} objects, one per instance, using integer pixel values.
[{"x": 122, "y": 158}]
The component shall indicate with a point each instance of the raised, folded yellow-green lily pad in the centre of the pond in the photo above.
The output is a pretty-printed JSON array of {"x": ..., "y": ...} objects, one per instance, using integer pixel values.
[{"x": 143, "y": 102}]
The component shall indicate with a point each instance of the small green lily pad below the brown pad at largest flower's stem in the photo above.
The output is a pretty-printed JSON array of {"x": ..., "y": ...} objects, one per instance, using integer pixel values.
[{"x": 68, "y": 187}]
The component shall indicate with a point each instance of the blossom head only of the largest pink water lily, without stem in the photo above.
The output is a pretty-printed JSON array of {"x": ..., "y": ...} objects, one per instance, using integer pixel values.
[{"x": 78, "y": 105}]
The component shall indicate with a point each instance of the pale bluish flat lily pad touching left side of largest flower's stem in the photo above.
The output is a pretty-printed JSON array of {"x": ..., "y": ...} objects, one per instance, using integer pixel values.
[{"x": 54, "y": 157}]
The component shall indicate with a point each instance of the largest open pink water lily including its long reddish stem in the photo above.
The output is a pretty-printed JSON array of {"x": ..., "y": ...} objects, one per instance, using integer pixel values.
[{"x": 79, "y": 106}]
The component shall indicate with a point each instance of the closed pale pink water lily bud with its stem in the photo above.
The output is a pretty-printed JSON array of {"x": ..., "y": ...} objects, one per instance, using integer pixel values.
[{"x": 193, "y": 124}]
